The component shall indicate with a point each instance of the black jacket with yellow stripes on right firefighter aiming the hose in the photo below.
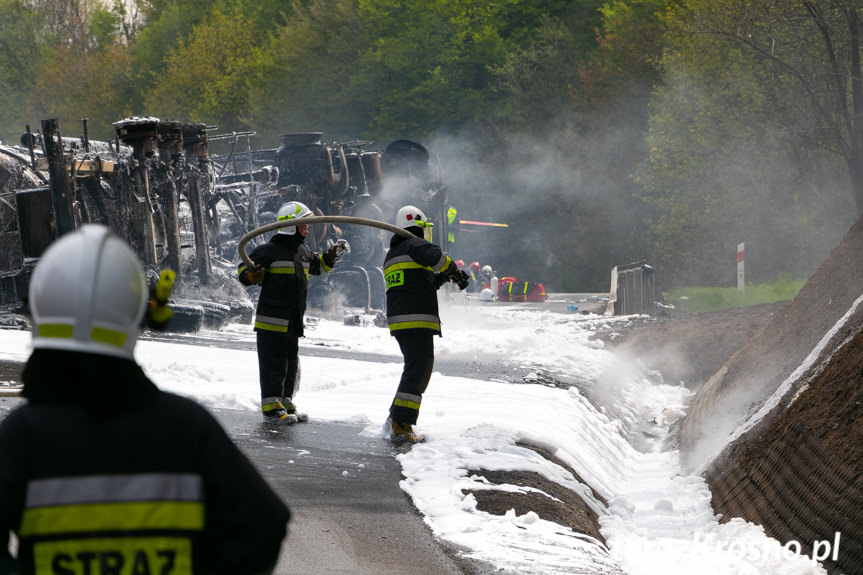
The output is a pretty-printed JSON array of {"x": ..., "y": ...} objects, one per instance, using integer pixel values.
[{"x": 410, "y": 267}]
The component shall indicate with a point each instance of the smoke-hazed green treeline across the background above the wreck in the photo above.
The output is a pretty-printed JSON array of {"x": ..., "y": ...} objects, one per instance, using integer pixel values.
[{"x": 602, "y": 132}]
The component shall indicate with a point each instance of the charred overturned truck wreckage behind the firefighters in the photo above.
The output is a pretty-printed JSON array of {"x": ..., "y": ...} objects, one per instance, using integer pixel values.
[{"x": 181, "y": 207}]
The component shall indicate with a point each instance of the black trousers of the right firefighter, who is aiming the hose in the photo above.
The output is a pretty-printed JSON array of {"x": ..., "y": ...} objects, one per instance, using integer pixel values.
[{"x": 418, "y": 353}]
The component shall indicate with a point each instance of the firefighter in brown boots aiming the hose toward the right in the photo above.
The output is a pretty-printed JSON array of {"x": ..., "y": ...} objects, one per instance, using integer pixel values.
[{"x": 414, "y": 270}]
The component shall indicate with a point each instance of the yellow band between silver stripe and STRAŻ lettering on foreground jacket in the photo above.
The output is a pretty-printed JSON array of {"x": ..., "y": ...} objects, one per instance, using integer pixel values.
[{"x": 112, "y": 516}]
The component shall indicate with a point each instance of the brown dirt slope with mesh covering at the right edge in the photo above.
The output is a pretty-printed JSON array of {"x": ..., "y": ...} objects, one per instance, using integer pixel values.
[{"x": 799, "y": 472}]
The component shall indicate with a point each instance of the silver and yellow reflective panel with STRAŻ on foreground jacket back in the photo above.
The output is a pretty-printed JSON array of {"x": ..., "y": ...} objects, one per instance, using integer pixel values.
[{"x": 136, "y": 523}]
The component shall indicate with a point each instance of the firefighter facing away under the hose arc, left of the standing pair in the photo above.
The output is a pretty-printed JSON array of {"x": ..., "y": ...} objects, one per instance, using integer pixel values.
[{"x": 282, "y": 268}]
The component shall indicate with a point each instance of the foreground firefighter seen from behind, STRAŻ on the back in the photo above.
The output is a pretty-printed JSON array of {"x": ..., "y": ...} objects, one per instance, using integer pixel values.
[{"x": 100, "y": 471}]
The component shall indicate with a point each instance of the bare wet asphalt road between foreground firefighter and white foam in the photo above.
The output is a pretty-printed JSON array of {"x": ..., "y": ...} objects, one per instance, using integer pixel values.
[{"x": 349, "y": 514}]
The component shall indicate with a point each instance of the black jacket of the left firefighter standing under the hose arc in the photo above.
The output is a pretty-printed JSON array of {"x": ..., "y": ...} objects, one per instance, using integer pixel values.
[{"x": 282, "y": 302}]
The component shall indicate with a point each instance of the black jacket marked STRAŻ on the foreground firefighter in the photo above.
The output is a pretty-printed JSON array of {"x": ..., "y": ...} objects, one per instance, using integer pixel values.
[{"x": 101, "y": 472}]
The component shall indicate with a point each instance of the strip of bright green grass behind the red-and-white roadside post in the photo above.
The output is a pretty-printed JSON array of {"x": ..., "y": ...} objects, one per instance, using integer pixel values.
[{"x": 703, "y": 299}]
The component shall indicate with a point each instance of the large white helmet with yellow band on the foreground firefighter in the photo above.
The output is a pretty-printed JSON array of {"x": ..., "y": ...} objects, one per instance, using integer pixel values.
[{"x": 88, "y": 293}]
